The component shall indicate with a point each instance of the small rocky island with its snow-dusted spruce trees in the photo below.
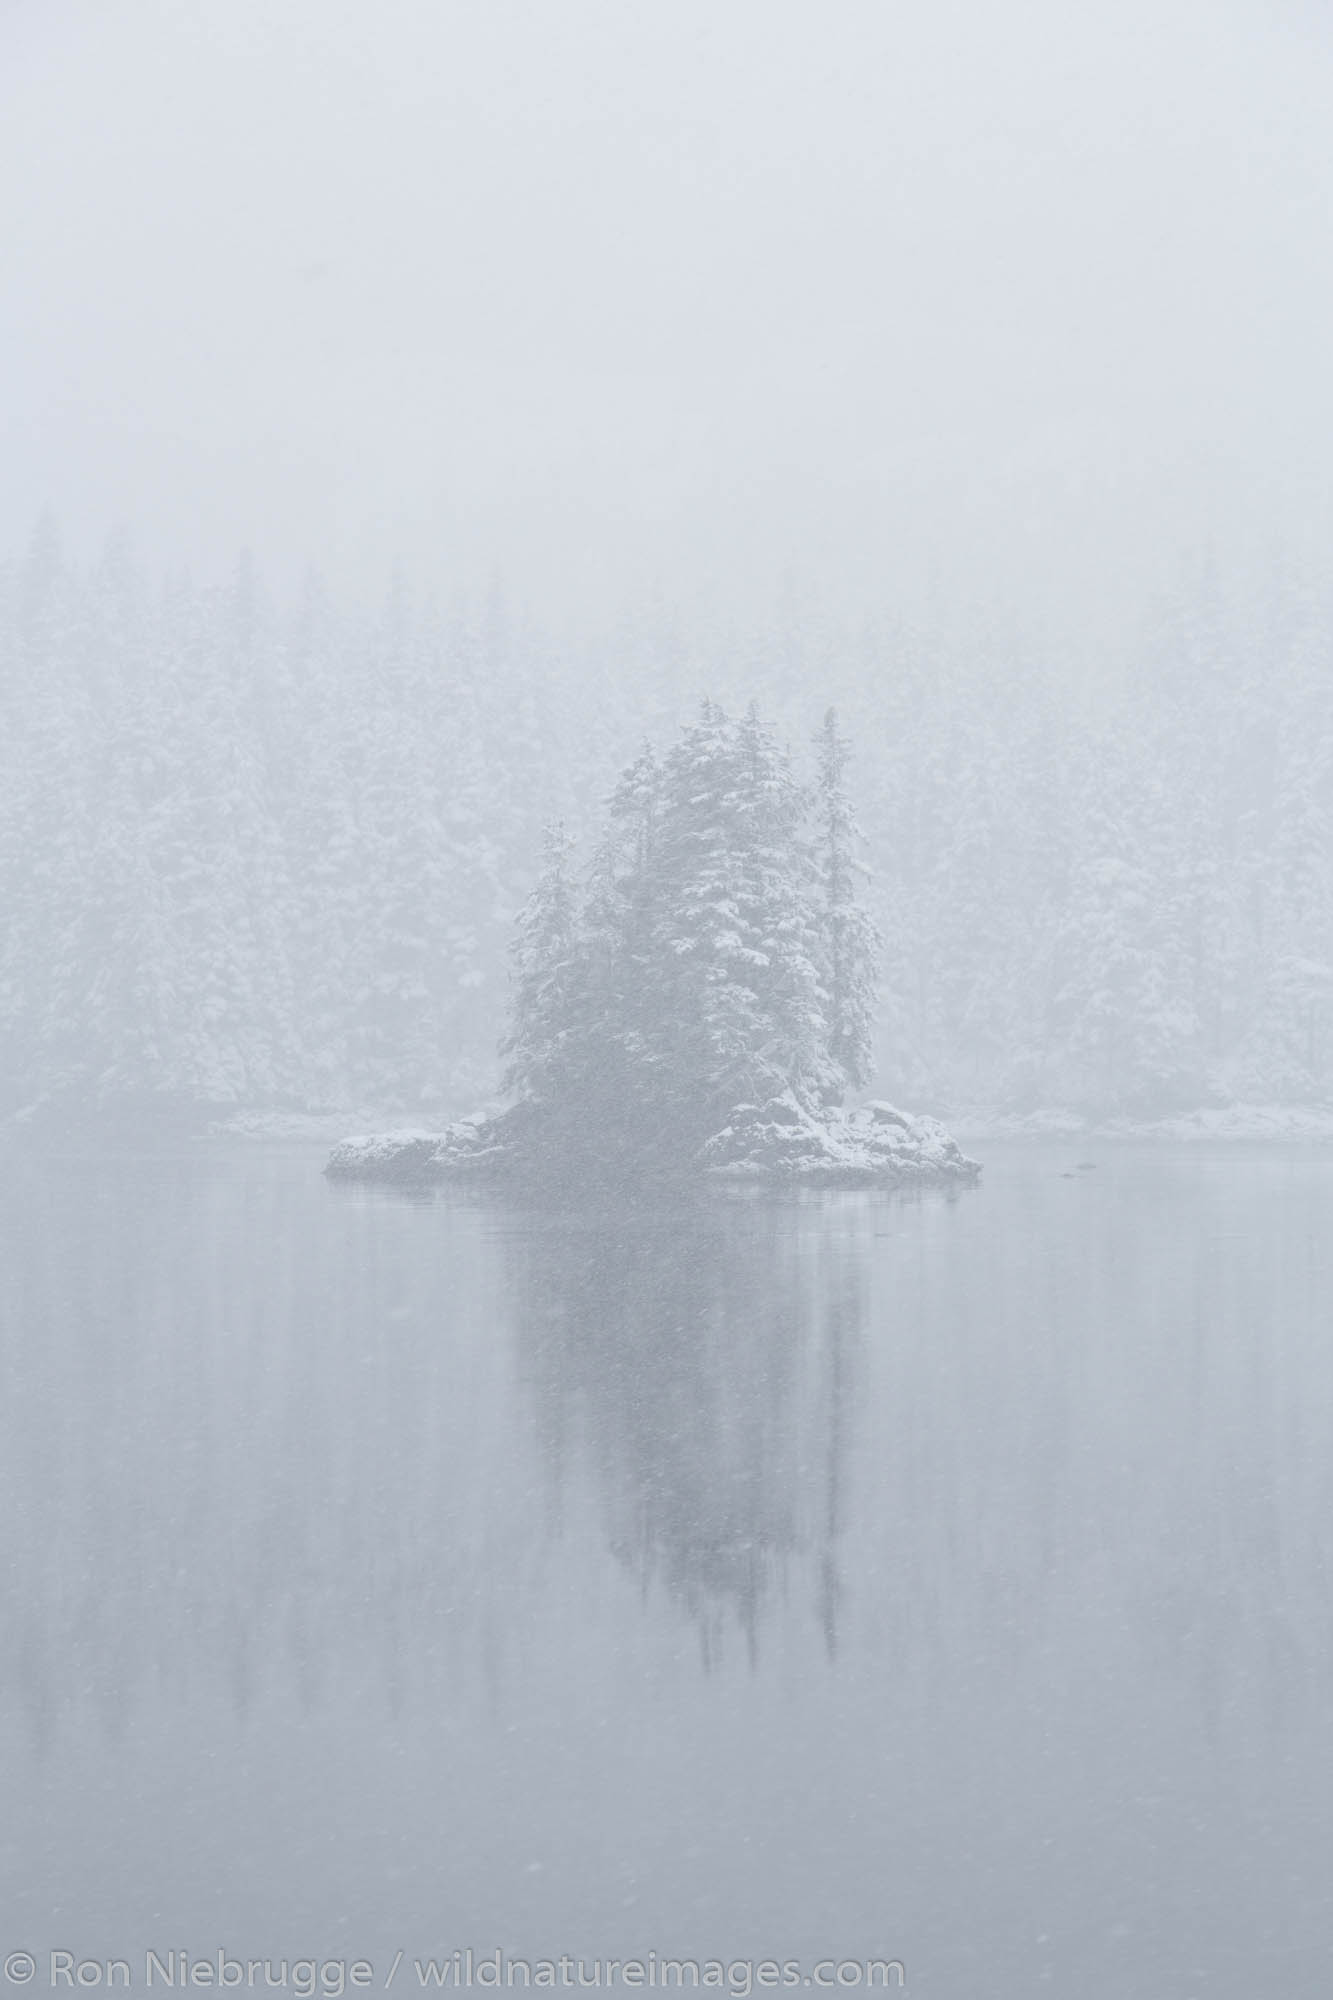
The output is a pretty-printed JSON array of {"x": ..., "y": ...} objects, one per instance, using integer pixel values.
[{"x": 698, "y": 1003}]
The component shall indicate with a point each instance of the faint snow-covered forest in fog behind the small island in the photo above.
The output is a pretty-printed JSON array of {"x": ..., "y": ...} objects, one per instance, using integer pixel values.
[{"x": 271, "y": 855}]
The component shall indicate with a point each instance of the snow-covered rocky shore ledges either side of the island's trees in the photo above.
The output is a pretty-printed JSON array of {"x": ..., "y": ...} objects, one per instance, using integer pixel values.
[{"x": 780, "y": 1141}]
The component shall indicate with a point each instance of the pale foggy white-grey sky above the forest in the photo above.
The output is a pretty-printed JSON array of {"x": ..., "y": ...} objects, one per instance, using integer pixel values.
[{"x": 1026, "y": 301}]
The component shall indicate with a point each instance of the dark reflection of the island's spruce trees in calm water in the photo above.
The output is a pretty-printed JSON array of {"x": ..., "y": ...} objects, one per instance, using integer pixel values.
[{"x": 702, "y": 1359}]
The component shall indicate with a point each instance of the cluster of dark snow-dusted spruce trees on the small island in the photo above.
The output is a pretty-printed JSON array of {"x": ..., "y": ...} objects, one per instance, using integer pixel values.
[{"x": 718, "y": 959}]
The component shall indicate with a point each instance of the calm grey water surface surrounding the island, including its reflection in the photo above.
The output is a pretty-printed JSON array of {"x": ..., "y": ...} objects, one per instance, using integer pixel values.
[{"x": 806, "y": 1581}]
